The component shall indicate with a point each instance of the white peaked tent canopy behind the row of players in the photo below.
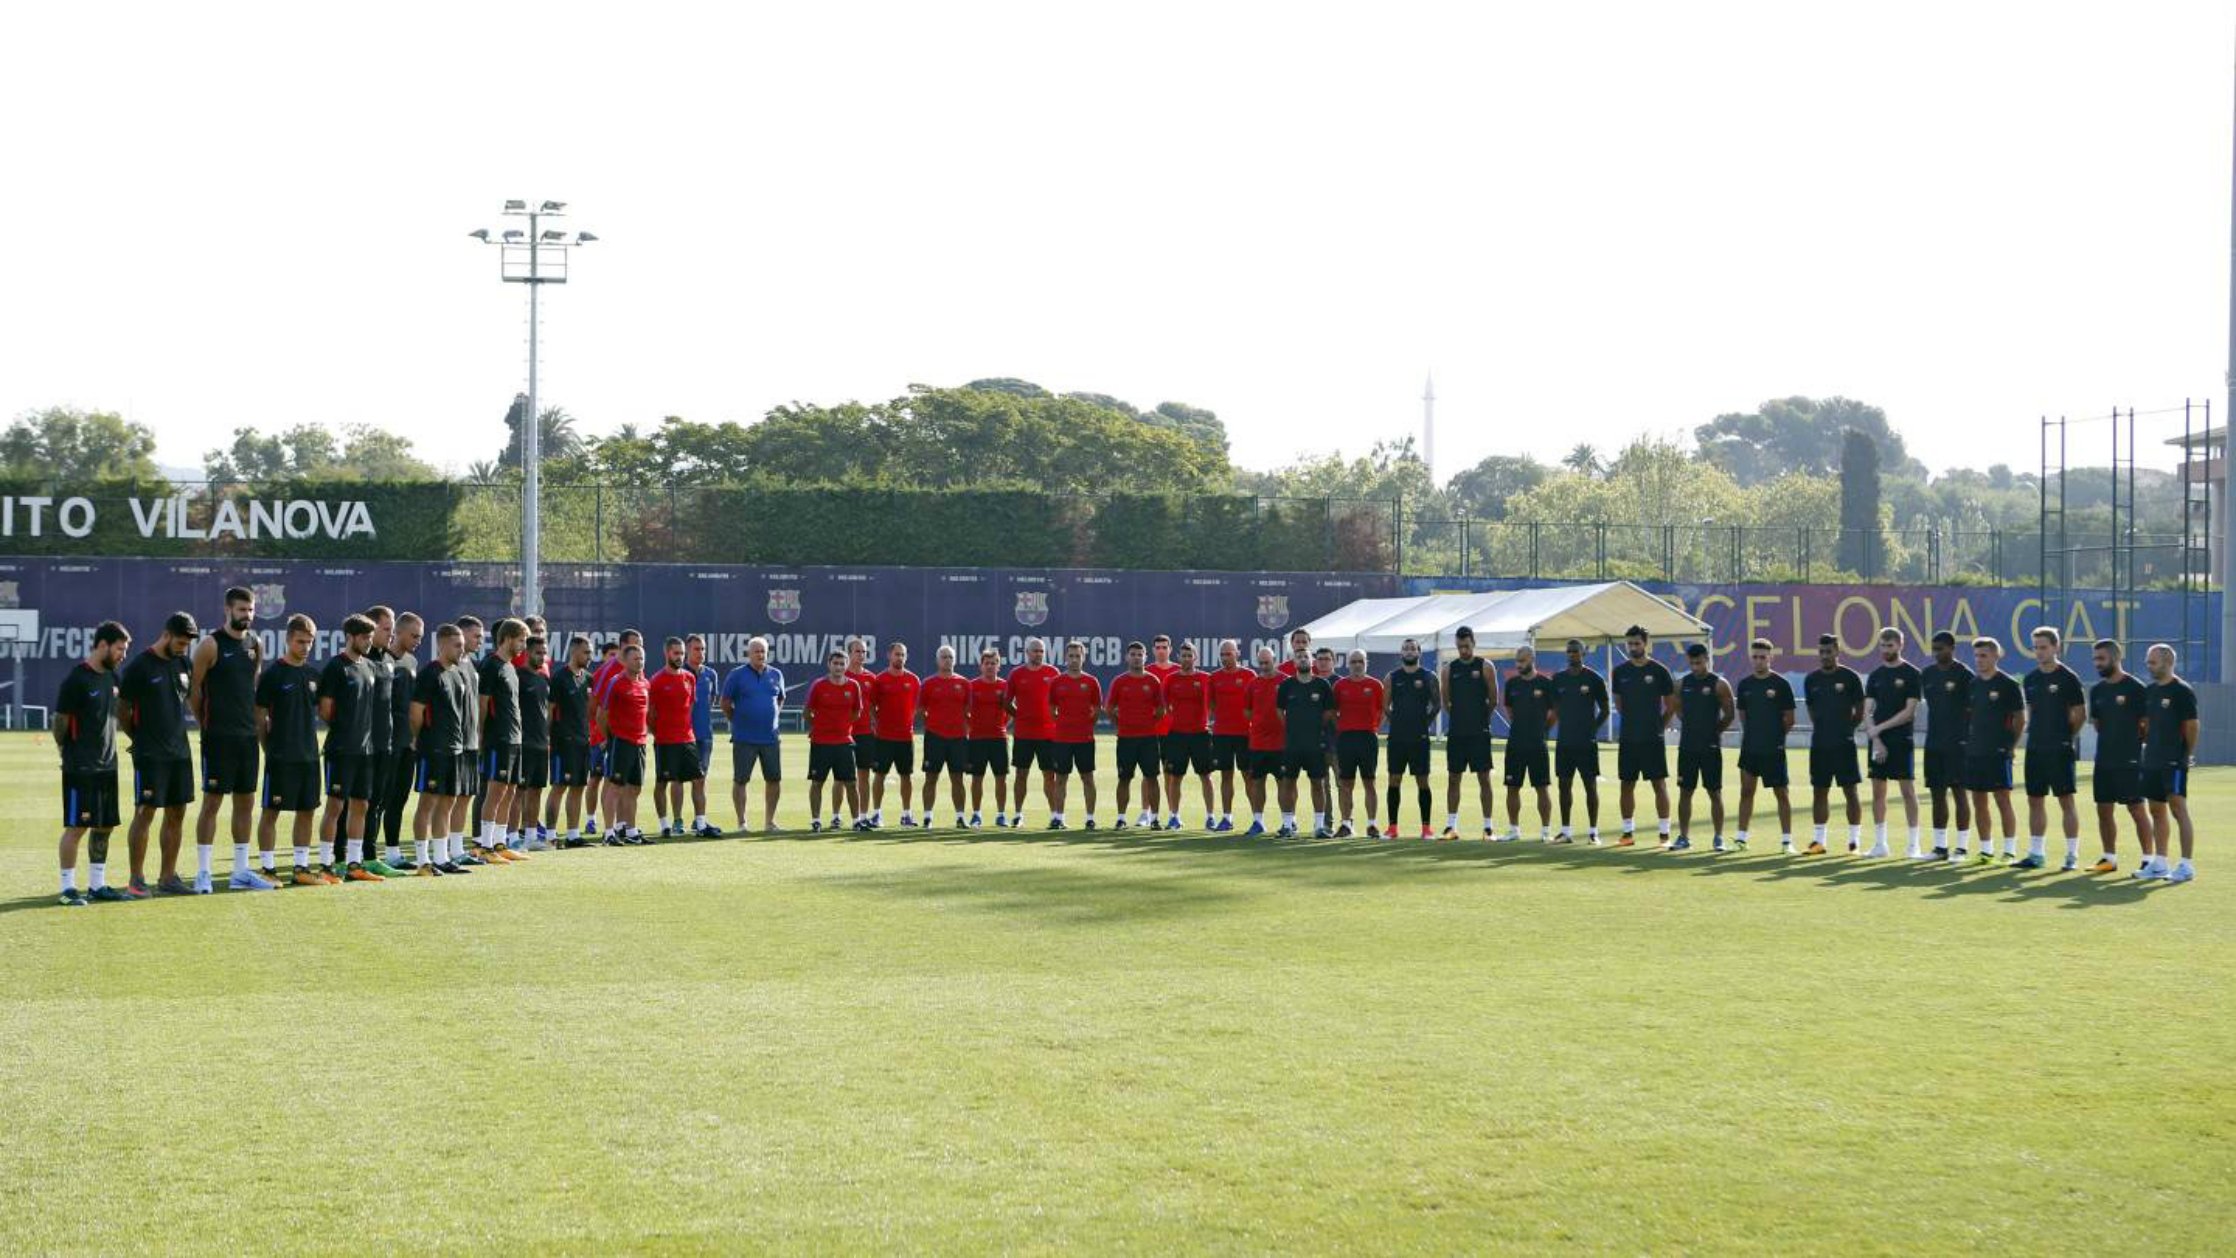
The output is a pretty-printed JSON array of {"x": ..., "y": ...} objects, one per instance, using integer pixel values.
[{"x": 1506, "y": 620}]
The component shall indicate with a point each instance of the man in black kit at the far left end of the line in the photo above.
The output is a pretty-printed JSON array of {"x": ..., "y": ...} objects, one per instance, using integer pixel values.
[{"x": 86, "y": 734}]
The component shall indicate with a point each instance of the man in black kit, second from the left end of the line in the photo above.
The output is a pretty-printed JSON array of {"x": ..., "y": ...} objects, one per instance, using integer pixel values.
[{"x": 153, "y": 712}]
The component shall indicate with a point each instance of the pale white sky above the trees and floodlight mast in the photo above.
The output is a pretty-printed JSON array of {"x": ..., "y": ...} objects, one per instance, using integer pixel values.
[{"x": 1589, "y": 222}]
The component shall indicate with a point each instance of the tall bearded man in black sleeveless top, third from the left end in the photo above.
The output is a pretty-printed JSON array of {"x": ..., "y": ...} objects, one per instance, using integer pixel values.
[{"x": 220, "y": 692}]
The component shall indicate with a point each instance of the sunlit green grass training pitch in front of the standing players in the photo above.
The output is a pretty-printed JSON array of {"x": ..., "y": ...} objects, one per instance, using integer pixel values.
[{"x": 1121, "y": 1042}]
